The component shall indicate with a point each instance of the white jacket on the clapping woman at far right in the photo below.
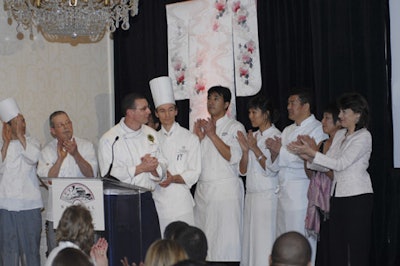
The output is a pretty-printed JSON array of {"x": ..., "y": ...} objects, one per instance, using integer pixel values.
[{"x": 349, "y": 160}]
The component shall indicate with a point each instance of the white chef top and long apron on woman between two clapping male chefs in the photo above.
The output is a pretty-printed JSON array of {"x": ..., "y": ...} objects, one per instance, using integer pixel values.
[{"x": 260, "y": 204}]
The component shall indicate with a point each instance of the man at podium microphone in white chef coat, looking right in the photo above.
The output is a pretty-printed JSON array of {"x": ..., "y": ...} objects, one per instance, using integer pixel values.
[{"x": 130, "y": 152}]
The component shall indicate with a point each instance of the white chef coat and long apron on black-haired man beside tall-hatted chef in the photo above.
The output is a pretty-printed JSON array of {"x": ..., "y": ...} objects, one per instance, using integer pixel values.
[{"x": 219, "y": 194}]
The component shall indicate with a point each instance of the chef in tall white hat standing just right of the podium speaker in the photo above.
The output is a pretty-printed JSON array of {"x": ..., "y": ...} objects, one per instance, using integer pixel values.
[{"x": 181, "y": 148}]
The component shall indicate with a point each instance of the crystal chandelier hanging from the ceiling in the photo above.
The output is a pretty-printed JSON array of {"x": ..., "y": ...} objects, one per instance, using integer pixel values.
[{"x": 74, "y": 18}]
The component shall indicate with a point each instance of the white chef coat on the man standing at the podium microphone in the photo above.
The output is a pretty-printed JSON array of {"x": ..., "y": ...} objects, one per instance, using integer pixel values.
[{"x": 128, "y": 151}]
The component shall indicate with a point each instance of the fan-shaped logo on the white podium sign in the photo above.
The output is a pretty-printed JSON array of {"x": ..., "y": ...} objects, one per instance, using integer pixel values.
[{"x": 77, "y": 193}]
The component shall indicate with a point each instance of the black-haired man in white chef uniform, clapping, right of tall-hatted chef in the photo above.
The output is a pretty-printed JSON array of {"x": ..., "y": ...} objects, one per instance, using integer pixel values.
[{"x": 219, "y": 193}]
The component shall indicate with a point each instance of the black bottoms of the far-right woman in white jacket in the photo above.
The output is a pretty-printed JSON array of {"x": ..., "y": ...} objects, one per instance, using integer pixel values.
[{"x": 350, "y": 230}]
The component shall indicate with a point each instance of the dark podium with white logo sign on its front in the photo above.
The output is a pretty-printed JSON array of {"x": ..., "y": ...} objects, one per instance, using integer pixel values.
[{"x": 117, "y": 209}]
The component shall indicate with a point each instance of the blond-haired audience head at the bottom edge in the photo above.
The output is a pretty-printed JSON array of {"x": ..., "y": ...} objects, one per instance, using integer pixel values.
[{"x": 164, "y": 252}]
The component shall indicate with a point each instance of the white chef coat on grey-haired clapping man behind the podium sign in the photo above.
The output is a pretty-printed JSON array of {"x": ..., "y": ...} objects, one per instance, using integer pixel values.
[{"x": 69, "y": 167}]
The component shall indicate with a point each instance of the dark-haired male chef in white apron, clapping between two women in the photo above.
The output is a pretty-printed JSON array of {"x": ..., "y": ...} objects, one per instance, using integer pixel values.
[{"x": 293, "y": 181}]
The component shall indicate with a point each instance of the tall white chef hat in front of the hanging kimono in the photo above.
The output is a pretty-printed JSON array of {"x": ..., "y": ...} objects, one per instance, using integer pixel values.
[{"x": 161, "y": 89}]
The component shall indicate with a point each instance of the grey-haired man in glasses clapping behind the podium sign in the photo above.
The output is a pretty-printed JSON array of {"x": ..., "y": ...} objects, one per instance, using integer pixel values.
[{"x": 65, "y": 156}]
